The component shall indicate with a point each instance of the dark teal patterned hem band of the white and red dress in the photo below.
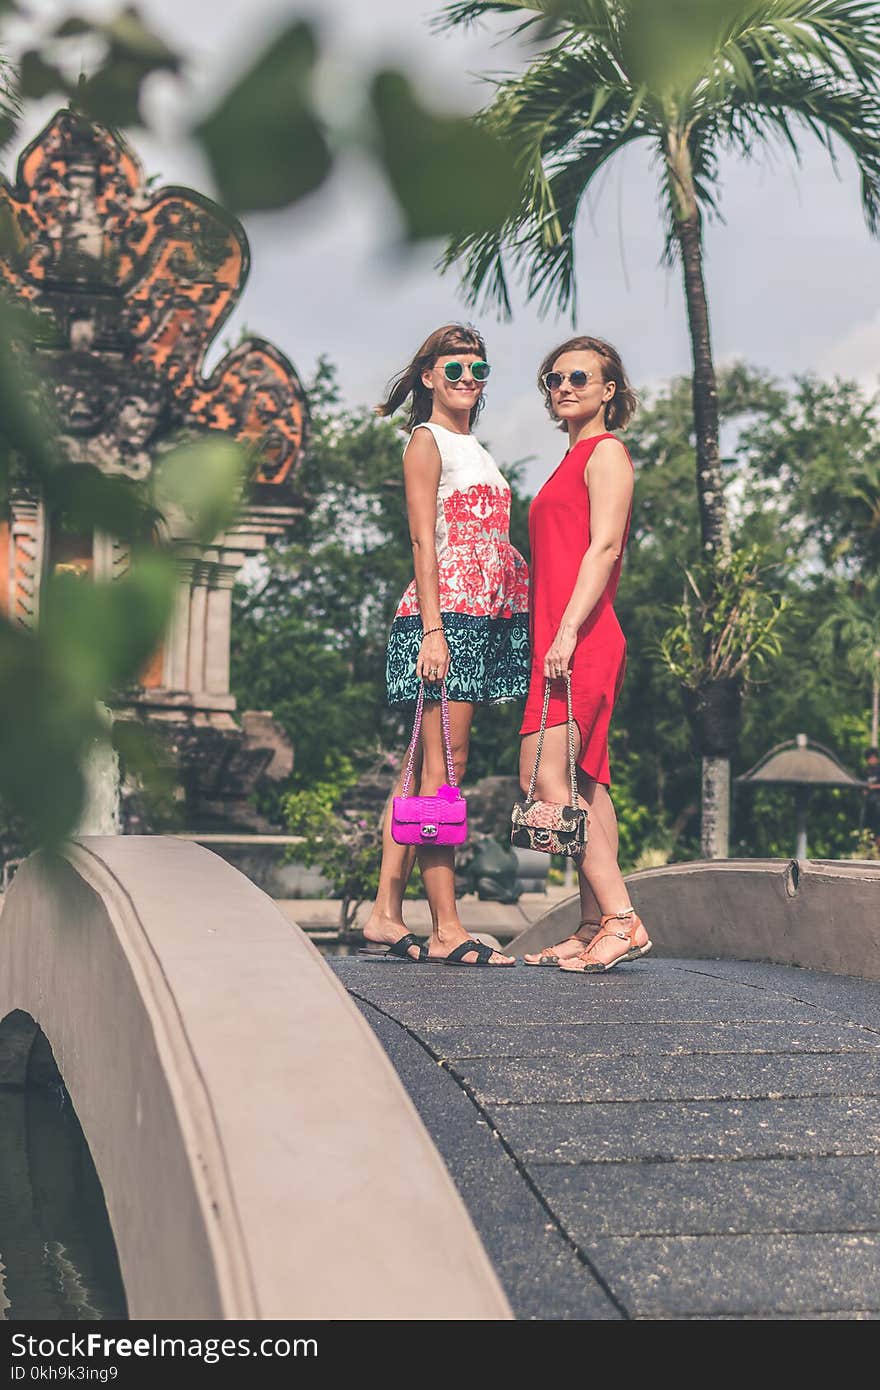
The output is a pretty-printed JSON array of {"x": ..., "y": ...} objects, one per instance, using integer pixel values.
[{"x": 490, "y": 660}]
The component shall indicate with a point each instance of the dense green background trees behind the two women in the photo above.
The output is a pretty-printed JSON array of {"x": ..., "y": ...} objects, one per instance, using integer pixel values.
[{"x": 803, "y": 477}]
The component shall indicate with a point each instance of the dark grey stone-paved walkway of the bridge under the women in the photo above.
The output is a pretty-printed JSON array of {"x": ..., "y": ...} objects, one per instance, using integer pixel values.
[{"x": 681, "y": 1139}]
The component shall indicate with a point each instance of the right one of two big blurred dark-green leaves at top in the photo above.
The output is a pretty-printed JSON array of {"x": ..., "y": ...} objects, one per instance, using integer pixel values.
[{"x": 450, "y": 174}]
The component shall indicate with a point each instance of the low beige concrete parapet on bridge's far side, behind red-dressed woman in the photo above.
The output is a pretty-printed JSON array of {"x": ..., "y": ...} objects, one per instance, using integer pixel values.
[{"x": 820, "y": 914}]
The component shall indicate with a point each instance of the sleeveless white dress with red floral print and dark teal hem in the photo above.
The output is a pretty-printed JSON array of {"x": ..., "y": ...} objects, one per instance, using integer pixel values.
[{"x": 483, "y": 586}]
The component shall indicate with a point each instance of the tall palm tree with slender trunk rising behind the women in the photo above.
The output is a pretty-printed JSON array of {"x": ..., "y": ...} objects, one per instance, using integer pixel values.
[{"x": 694, "y": 81}]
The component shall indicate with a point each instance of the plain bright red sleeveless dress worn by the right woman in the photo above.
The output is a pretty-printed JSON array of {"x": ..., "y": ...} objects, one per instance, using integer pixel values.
[{"x": 560, "y": 536}]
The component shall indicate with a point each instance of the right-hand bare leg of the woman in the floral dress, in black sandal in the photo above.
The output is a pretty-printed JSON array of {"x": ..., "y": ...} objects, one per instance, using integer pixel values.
[{"x": 437, "y": 864}]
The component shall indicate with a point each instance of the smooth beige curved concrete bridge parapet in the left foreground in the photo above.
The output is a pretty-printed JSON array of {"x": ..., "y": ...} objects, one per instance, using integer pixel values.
[{"x": 258, "y": 1153}]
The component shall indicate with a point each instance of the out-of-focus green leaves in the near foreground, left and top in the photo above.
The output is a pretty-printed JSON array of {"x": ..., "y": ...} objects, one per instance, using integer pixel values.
[{"x": 269, "y": 142}]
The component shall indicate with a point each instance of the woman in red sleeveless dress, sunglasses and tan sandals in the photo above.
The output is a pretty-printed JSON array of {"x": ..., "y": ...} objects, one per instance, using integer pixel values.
[{"x": 579, "y": 526}]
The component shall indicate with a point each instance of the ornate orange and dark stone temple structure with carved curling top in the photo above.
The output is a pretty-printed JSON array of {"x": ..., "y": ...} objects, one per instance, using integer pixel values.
[{"x": 137, "y": 283}]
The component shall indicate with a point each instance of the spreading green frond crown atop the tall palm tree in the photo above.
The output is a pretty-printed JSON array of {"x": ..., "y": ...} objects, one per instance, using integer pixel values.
[{"x": 772, "y": 70}]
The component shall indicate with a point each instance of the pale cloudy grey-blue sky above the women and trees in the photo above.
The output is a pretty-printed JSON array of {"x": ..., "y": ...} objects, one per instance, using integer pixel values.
[{"x": 792, "y": 273}]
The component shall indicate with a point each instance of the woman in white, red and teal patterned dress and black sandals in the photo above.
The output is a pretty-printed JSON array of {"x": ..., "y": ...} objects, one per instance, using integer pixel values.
[{"x": 462, "y": 621}]
